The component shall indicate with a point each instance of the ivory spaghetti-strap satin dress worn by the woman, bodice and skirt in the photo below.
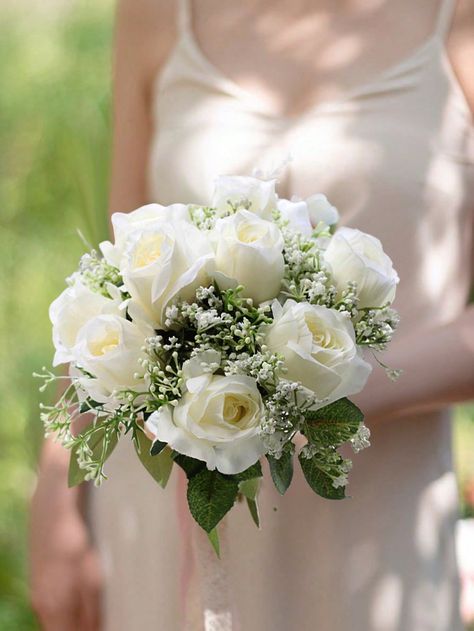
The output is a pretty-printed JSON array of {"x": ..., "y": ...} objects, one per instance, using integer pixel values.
[{"x": 396, "y": 156}]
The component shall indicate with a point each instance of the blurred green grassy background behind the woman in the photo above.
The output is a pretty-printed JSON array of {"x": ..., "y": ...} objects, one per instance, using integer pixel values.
[{"x": 54, "y": 139}]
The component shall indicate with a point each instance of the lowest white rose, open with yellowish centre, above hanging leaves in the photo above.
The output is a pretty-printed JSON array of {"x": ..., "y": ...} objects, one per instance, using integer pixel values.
[{"x": 217, "y": 421}]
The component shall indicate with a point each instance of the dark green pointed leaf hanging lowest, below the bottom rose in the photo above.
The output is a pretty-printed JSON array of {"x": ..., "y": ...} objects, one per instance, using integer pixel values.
[{"x": 210, "y": 496}]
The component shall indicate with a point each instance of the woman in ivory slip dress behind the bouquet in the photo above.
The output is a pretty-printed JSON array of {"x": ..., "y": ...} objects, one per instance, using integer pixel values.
[{"x": 372, "y": 100}]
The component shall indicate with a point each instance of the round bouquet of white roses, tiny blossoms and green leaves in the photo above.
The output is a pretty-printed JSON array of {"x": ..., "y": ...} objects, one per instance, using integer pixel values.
[{"x": 212, "y": 336}]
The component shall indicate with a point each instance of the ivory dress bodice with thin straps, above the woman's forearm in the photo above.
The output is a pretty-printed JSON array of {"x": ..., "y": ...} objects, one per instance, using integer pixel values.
[{"x": 394, "y": 155}]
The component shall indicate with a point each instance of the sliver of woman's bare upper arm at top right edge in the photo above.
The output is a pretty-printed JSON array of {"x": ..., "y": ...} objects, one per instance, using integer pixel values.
[{"x": 461, "y": 47}]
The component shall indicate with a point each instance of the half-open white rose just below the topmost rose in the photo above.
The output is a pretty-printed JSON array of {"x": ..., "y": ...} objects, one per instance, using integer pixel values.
[{"x": 249, "y": 252}]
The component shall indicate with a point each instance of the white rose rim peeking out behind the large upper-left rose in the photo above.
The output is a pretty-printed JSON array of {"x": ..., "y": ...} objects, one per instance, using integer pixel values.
[{"x": 125, "y": 223}]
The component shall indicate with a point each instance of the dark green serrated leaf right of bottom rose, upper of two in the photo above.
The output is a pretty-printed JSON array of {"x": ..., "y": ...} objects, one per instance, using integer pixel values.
[{"x": 333, "y": 424}]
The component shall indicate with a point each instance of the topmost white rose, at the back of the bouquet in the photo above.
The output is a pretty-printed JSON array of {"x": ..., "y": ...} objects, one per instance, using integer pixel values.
[{"x": 251, "y": 193}]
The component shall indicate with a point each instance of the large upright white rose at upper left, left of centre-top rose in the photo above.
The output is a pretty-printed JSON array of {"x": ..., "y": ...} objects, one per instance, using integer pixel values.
[{"x": 166, "y": 261}]
